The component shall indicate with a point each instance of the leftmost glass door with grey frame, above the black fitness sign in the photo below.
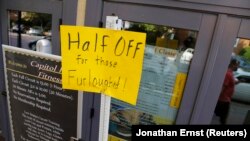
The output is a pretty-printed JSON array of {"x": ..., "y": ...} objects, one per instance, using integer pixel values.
[{"x": 26, "y": 24}]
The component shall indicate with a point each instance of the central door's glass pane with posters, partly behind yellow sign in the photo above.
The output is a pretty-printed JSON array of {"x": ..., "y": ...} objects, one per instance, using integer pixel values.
[{"x": 168, "y": 54}]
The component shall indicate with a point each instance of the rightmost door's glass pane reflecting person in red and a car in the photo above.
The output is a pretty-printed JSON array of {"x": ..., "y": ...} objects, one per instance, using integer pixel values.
[{"x": 240, "y": 104}]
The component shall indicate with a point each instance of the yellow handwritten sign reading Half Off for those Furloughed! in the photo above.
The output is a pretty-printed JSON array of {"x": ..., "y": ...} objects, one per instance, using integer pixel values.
[{"x": 102, "y": 60}]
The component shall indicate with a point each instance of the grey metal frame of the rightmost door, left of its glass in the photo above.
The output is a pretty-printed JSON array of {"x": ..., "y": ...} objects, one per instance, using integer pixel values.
[{"x": 228, "y": 29}]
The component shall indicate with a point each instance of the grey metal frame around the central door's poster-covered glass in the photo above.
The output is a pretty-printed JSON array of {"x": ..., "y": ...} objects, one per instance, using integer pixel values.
[{"x": 198, "y": 21}]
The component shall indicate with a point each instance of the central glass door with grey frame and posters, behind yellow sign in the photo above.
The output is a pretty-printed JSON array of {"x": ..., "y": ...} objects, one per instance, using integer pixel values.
[{"x": 177, "y": 46}]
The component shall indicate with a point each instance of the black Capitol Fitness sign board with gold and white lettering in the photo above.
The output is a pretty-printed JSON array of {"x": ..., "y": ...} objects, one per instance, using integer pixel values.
[{"x": 39, "y": 108}]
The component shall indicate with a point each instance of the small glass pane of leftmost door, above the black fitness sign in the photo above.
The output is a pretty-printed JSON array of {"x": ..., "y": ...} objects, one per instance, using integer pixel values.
[{"x": 26, "y": 28}]
